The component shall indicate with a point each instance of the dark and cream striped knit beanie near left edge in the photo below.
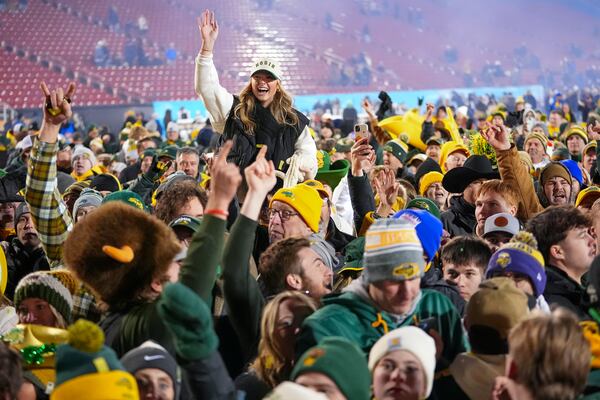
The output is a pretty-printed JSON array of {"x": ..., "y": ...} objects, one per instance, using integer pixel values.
[{"x": 56, "y": 287}]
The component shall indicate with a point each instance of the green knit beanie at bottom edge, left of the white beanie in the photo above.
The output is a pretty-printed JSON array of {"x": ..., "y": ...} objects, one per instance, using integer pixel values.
[{"x": 343, "y": 362}]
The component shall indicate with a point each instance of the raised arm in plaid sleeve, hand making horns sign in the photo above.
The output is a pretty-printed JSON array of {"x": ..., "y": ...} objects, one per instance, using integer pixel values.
[{"x": 48, "y": 211}]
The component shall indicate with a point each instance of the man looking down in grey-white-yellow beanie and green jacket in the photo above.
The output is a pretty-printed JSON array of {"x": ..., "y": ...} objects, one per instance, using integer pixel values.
[{"x": 386, "y": 297}]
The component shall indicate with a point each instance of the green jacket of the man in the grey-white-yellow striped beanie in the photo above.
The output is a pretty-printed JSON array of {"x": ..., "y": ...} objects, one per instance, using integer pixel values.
[{"x": 351, "y": 316}]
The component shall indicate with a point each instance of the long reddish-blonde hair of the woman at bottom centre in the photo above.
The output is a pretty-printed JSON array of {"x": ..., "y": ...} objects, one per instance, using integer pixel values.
[{"x": 270, "y": 365}]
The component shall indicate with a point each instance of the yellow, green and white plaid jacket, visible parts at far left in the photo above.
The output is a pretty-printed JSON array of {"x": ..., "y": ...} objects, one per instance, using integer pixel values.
[{"x": 52, "y": 219}]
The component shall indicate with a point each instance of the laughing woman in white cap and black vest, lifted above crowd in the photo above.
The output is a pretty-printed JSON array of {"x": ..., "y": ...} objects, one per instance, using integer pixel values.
[{"x": 262, "y": 114}]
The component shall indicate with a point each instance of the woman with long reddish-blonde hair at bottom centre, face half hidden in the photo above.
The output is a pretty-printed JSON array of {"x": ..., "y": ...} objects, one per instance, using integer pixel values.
[{"x": 280, "y": 324}]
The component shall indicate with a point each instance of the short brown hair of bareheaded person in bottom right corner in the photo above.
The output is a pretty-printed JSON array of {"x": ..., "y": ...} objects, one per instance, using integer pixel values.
[{"x": 551, "y": 355}]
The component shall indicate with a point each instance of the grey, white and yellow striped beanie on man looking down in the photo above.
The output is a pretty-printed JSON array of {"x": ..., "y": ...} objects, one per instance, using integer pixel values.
[{"x": 393, "y": 251}]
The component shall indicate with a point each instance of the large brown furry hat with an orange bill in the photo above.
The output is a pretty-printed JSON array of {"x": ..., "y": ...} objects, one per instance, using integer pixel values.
[{"x": 118, "y": 250}]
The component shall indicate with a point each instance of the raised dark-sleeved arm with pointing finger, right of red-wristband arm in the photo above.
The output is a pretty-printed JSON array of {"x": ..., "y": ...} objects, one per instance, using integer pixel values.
[{"x": 242, "y": 294}]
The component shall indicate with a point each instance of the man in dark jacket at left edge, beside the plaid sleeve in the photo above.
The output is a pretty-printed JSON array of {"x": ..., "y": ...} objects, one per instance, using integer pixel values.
[{"x": 24, "y": 253}]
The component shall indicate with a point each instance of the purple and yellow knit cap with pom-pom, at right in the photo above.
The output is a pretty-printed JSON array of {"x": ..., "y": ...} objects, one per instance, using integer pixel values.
[{"x": 520, "y": 255}]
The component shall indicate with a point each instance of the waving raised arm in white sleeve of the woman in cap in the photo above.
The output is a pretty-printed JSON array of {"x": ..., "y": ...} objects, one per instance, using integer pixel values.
[{"x": 217, "y": 99}]
